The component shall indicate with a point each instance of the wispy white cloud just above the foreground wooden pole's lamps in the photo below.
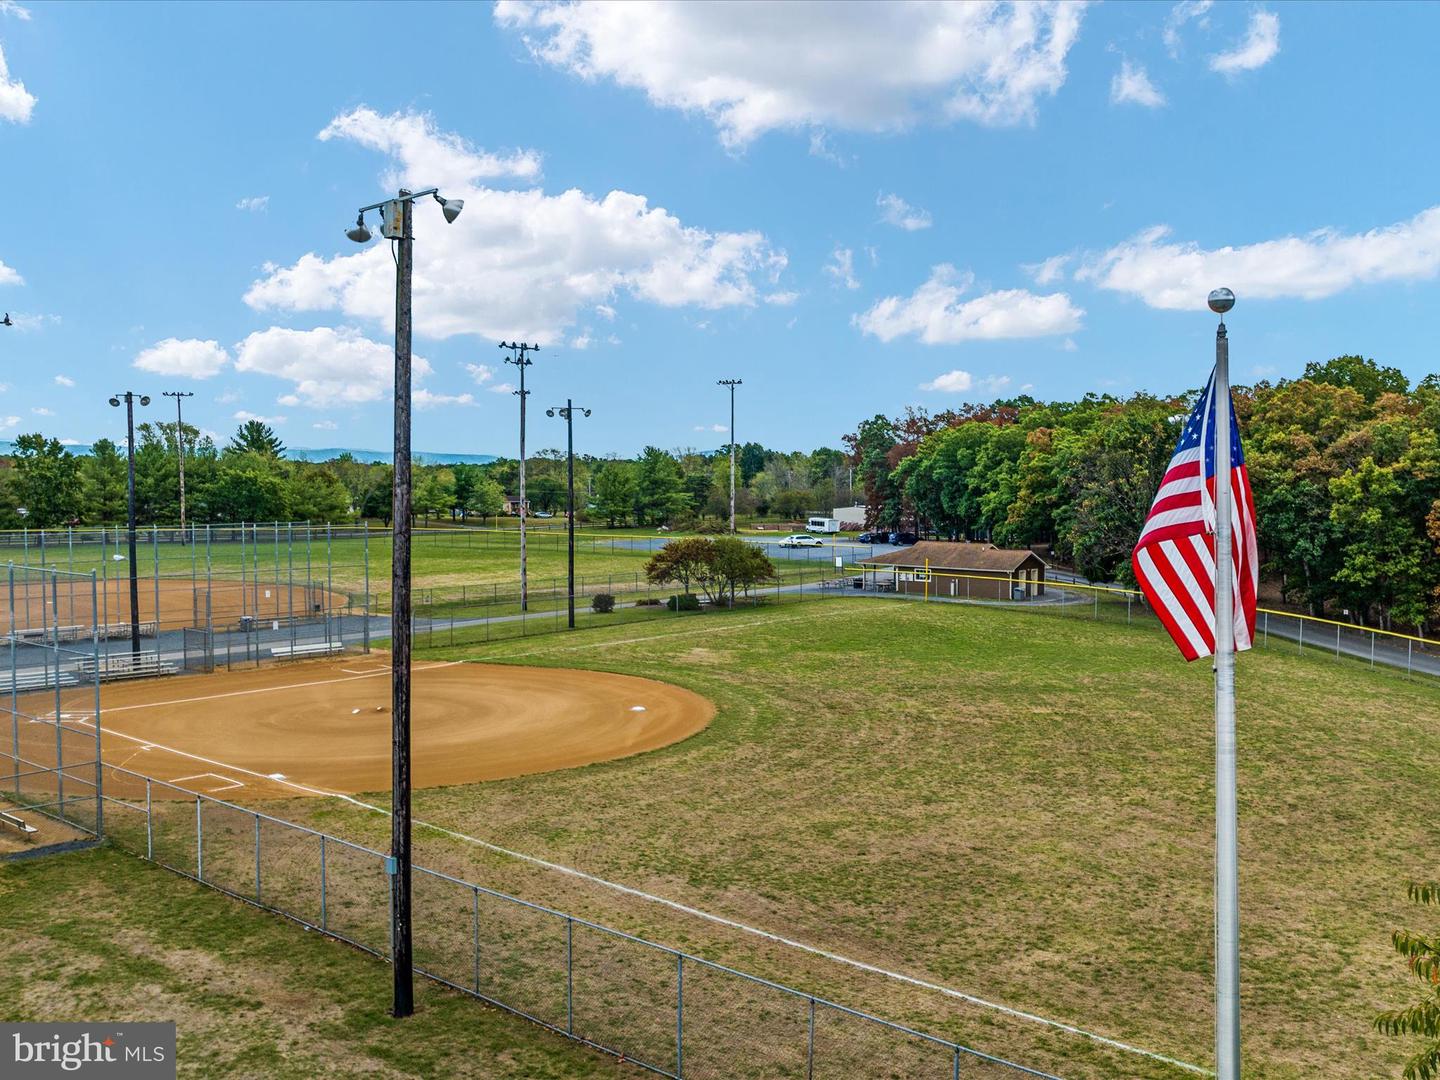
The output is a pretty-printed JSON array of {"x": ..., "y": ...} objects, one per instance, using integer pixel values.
[{"x": 413, "y": 140}]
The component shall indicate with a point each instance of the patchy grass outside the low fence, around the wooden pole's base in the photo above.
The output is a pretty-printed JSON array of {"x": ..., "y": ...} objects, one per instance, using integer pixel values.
[{"x": 254, "y": 996}]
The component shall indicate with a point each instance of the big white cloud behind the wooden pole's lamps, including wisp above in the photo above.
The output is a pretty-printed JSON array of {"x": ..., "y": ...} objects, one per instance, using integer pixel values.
[{"x": 510, "y": 253}]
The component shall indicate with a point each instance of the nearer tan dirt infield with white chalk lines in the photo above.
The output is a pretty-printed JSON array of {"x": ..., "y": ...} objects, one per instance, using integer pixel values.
[{"x": 325, "y": 726}]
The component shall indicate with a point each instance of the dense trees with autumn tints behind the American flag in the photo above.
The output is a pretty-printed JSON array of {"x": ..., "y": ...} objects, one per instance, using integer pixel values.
[{"x": 1344, "y": 464}]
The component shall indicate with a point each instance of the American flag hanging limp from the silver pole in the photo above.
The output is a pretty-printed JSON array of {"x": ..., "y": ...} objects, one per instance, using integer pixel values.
[{"x": 1176, "y": 557}]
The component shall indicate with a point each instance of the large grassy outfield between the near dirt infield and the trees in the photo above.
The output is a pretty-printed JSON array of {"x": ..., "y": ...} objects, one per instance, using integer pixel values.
[{"x": 1013, "y": 804}]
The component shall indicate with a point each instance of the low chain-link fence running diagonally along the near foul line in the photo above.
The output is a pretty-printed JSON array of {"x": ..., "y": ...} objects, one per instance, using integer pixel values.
[{"x": 667, "y": 1012}]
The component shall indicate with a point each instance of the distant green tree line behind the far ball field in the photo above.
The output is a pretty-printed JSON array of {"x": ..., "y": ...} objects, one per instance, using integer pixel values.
[{"x": 45, "y": 485}]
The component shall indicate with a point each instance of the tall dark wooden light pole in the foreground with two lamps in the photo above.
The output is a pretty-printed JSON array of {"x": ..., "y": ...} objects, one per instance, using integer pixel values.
[{"x": 397, "y": 225}]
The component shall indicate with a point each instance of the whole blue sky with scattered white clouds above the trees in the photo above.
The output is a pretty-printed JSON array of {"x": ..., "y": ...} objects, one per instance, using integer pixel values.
[{"x": 853, "y": 210}]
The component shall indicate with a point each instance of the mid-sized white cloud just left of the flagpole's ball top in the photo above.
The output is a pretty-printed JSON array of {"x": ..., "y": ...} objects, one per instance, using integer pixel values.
[{"x": 937, "y": 315}]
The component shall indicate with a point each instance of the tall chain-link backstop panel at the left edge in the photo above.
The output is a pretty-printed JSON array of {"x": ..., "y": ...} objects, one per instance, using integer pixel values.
[{"x": 51, "y": 738}]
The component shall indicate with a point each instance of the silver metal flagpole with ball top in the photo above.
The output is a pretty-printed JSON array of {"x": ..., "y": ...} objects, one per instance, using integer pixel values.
[{"x": 1228, "y": 888}]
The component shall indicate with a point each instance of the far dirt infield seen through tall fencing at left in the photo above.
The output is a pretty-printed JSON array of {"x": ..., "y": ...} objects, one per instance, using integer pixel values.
[{"x": 181, "y": 603}]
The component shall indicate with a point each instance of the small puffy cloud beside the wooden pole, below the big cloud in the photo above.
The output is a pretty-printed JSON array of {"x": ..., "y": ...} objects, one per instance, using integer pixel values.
[{"x": 329, "y": 366}]
